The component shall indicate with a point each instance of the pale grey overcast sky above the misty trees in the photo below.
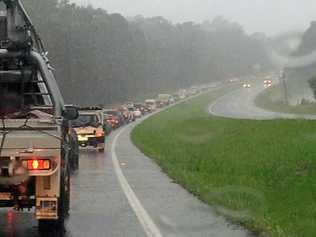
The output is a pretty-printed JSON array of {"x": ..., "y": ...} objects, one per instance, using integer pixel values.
[{"x": 268, "y": 16}]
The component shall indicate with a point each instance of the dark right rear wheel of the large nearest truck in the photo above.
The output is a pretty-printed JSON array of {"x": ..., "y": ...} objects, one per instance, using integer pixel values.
[{"x": 63, "y": 204}]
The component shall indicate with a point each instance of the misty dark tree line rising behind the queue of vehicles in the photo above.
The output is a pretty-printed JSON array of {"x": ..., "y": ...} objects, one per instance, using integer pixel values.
[{"x": 105, "y": 58}]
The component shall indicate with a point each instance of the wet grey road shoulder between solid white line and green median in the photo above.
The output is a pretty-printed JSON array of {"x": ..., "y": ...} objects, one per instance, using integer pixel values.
[{"x": 175, "y": 211}]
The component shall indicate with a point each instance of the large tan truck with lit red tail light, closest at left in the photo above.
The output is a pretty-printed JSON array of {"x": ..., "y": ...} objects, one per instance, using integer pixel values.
[{"x": 35, "y": 142}]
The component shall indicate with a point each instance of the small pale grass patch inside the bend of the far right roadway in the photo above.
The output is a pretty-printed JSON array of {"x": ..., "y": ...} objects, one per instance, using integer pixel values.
[{"x": 273, "y": 99}]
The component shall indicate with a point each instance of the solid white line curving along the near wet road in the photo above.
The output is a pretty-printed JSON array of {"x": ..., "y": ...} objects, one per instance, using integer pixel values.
[{"x": 145, "y": 220}]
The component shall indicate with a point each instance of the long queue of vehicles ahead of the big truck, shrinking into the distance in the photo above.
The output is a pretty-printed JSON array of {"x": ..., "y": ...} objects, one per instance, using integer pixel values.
[{"x": 96, "y": 123}]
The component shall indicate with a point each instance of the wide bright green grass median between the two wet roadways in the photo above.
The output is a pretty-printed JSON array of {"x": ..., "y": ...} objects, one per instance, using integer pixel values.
[{"x": 261, "y": 174}]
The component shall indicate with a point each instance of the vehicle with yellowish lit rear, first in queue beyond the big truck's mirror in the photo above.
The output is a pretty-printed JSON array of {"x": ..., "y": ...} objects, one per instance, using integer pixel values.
[{"x": 89, "y": 127}]
